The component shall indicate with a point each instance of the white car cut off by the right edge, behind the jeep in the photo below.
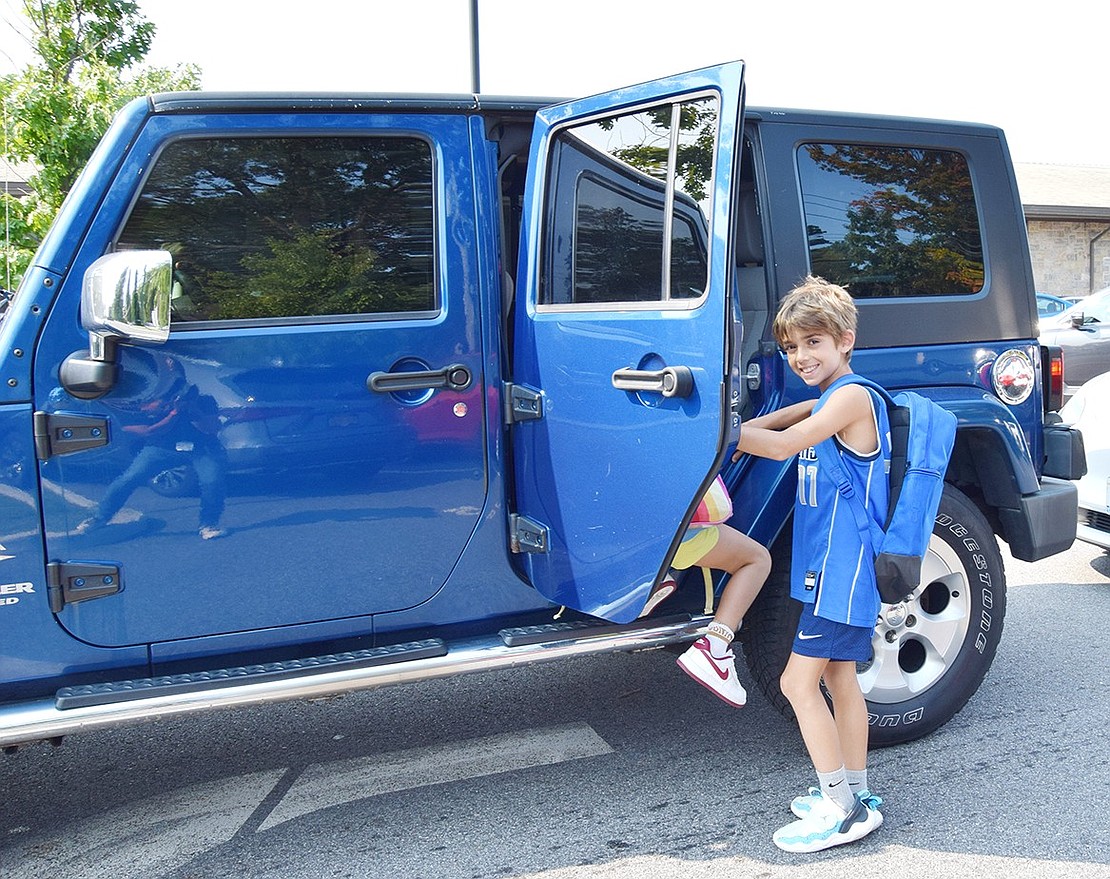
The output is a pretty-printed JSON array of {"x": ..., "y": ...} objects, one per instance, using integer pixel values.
[{"x": 1089, "y": 411}]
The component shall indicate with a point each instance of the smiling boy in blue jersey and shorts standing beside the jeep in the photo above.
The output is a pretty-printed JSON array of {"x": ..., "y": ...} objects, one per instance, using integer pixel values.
[{"x": 833, "y": 570}]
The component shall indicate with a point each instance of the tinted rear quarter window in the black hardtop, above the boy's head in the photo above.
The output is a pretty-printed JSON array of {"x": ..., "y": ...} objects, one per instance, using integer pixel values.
[{"x": 892, "y": 221}]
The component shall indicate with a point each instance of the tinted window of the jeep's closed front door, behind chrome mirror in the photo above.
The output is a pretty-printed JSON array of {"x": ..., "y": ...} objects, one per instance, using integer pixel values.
[{"x": 278, "y": 228}]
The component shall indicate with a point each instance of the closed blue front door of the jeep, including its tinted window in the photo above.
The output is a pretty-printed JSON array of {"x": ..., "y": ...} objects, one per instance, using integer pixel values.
[{"x": 321, "y": 322}]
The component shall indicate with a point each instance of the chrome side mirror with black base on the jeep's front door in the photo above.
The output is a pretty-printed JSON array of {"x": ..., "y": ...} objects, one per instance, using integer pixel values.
[{"x": 125, "y": 298}]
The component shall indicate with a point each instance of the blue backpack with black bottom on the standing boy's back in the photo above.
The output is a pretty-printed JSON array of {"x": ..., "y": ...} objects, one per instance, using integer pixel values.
[{"x": 922, "y": 439}]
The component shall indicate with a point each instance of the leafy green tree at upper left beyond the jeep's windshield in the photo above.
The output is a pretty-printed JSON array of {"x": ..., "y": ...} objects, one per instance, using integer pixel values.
[{"x": 86, "y": 68}]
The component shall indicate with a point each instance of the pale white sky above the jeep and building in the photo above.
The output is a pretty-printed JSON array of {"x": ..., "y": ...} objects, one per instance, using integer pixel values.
[{"x": 1038, "y": 74}]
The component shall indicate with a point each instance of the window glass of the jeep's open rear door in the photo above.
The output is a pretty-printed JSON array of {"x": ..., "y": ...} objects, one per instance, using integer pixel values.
[{"x": 628, "y": 207}]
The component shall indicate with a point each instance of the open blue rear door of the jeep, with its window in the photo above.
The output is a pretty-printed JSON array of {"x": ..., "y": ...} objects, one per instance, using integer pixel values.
[{"x": 622, "y": 335}]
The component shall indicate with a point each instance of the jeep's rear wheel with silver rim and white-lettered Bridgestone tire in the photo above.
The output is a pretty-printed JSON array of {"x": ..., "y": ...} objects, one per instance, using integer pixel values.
[{"x": 931, "y": 653}]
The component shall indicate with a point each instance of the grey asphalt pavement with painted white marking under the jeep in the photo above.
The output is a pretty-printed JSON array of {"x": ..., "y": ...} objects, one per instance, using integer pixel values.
[{"x": 597, "y": 767}]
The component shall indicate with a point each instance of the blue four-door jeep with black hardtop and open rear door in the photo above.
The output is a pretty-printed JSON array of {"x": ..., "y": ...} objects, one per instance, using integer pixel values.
[{"x": 309, "y": 395}]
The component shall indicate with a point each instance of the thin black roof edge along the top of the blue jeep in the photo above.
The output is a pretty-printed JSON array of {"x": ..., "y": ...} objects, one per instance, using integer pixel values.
[{"x": 205, "y": 102}]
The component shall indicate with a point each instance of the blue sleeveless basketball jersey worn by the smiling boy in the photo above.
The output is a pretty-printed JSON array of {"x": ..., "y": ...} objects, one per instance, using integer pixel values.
[{"x": 833, "y": 569}]
